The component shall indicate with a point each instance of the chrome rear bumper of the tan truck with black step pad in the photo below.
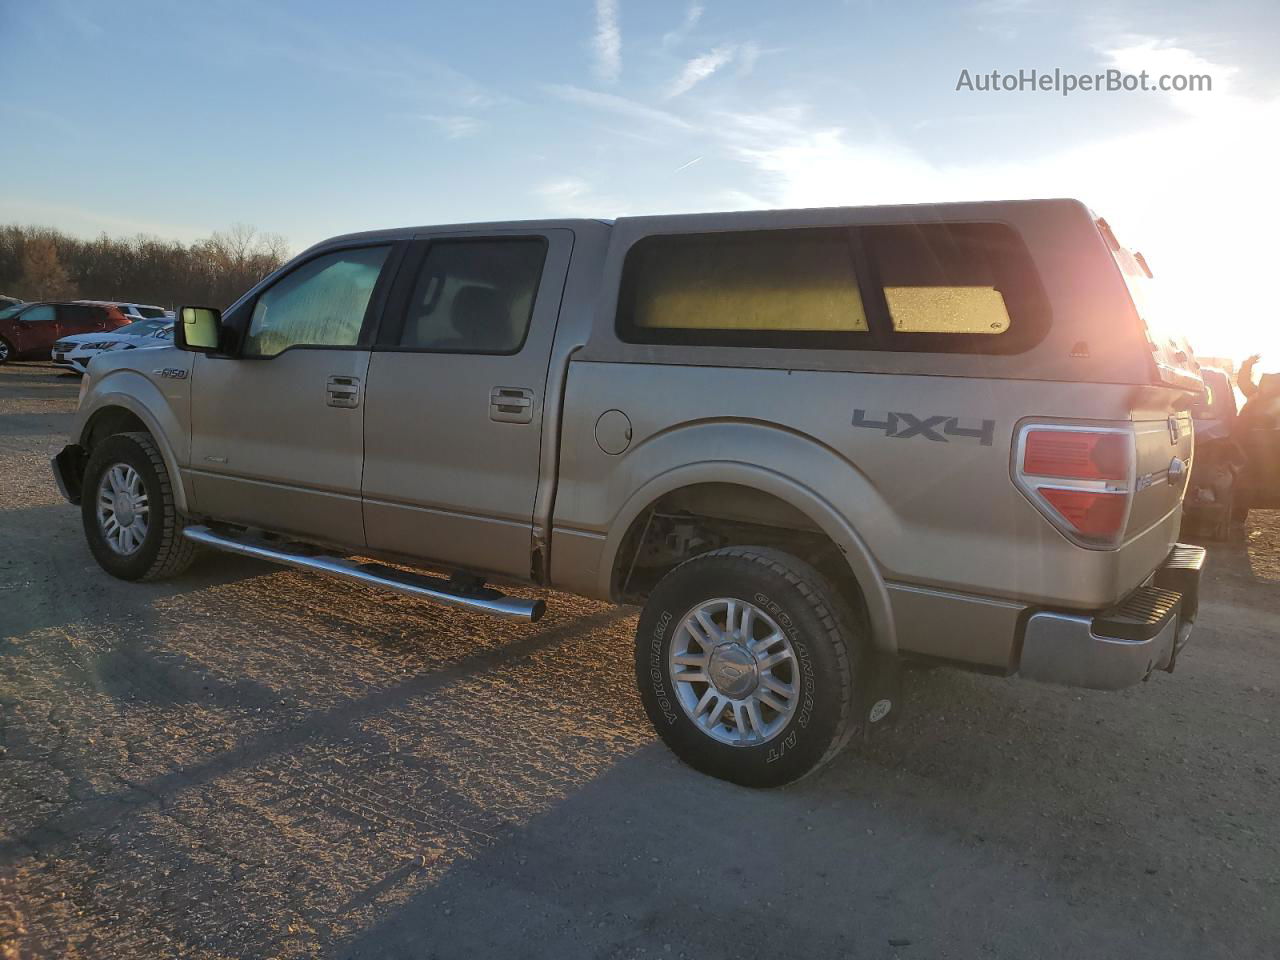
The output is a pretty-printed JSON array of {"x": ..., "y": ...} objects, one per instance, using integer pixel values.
[{"x": 1124, "y": 644}]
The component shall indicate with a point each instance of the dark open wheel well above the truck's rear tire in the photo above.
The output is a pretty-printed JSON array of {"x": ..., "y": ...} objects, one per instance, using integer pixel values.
[{"x": 702, "y": 518}]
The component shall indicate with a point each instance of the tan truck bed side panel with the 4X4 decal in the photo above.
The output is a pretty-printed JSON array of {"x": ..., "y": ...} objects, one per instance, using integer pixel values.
[{"x": 935, "y": 509}]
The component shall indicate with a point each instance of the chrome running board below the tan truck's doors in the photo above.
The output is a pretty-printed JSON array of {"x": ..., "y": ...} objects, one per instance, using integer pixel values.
[{"x": 424, "y": 588}]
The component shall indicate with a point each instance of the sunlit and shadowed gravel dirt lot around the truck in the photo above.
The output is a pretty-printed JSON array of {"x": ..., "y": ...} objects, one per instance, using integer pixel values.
[{"x": 253, "y": 762}]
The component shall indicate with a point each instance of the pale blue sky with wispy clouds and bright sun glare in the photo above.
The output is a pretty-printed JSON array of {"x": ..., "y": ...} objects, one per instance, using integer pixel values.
[{"x": 312, "y": 120}]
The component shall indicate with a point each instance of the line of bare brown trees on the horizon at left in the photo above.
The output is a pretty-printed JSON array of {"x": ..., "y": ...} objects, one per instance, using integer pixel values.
[{"x": 39, "y": 263}]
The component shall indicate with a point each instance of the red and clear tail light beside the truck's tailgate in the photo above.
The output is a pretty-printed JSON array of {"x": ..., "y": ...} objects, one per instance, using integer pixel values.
[{"x": 1081, "y": 478}]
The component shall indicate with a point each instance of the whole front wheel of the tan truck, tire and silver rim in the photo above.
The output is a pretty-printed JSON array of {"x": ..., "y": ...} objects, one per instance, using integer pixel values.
[{"x": 127, "y": 506}]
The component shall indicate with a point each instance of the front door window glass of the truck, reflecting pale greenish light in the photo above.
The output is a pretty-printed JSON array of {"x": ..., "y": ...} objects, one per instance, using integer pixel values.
[{"x": 321, "y": 304}]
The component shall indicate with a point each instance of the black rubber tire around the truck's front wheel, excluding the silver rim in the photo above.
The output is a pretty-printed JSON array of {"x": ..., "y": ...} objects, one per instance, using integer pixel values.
[{"x": 163, "y": 551}]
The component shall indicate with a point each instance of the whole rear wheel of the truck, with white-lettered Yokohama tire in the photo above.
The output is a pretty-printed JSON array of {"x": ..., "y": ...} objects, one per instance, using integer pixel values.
[{"x": 746, "y": 660}]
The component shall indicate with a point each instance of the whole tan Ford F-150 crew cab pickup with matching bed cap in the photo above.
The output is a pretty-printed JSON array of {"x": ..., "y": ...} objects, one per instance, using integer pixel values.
[{"x": 812, "y": 444}]
